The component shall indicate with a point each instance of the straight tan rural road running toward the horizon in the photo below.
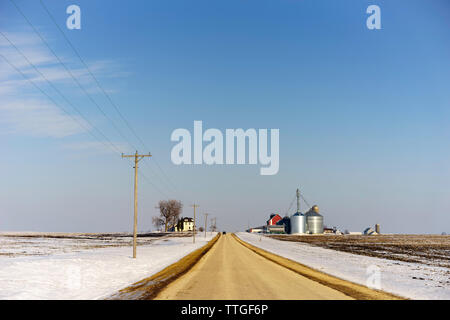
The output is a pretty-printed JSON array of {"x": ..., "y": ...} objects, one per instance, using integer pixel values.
[{"x": 231, "y": 271}]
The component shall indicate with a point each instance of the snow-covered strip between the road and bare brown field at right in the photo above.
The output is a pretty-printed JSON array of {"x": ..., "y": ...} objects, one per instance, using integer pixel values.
[{"x": 410, "y": 280}]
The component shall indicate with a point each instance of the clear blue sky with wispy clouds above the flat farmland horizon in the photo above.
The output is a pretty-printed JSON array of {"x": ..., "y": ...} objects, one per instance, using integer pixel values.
[{"x": 363, "y": 114}]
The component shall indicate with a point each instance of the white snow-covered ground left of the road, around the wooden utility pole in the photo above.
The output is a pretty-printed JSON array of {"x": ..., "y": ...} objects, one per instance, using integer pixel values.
[{"x": 42, "y": 268}]
